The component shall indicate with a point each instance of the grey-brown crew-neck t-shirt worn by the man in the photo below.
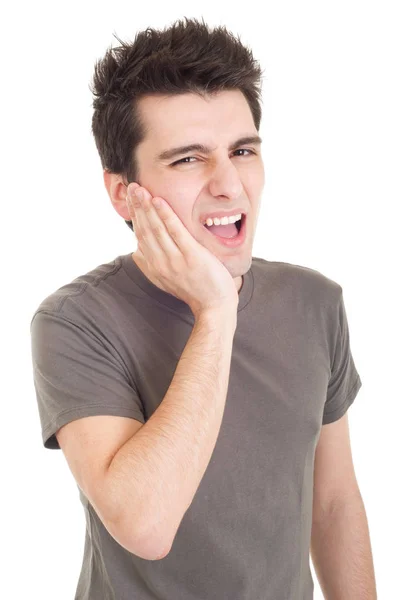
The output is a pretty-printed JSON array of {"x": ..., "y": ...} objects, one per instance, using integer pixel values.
[{"x": 108, "y": 343}]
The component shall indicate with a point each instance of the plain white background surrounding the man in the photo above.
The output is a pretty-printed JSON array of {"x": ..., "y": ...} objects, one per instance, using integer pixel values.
[{"x": 330, "y": 132}]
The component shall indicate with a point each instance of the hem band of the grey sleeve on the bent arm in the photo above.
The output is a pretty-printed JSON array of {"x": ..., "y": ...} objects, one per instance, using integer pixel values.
[{"x": 66, "y": 416}]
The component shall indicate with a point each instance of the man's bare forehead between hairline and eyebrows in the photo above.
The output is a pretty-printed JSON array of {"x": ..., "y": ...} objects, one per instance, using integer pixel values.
[{"x": 171, "y": 120}]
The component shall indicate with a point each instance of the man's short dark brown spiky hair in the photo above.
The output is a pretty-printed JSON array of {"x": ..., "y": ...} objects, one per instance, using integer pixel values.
[{"x": 180, "y": 59}]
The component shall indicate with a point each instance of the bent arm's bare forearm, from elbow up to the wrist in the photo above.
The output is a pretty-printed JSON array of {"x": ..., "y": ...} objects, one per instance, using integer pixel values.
[{"x": 154, "y": 476}]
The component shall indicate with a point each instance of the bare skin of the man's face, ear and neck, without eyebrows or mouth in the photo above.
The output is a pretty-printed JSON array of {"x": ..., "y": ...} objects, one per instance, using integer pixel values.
[{"x": 221, "y": 180}]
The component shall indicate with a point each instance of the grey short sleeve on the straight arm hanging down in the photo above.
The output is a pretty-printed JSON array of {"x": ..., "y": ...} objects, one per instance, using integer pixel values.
[{"x": 344, "y": 382}]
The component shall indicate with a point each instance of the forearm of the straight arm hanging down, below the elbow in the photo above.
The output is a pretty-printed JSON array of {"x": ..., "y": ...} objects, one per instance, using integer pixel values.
[{"x": 341, "y": 553}]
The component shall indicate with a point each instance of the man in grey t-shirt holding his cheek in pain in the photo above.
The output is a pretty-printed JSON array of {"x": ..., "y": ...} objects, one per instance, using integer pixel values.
[{"x": 200, "y": 394}]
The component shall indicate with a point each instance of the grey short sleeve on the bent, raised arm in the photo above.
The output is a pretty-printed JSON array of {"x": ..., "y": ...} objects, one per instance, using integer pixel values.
[{"x": 76, "y": 375}]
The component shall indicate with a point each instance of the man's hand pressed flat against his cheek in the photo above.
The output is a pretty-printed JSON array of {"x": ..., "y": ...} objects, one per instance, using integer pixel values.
[{"x": 185, "y": 268}]
